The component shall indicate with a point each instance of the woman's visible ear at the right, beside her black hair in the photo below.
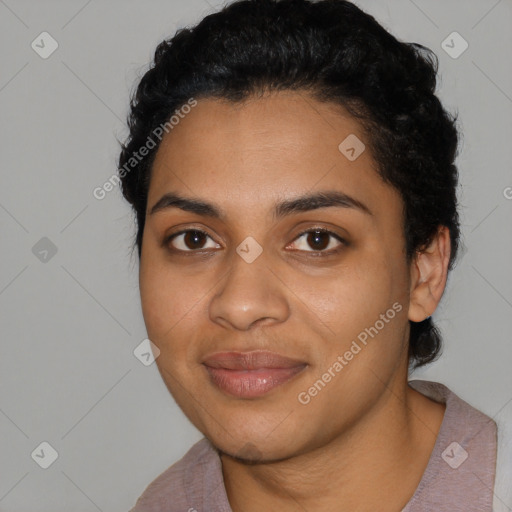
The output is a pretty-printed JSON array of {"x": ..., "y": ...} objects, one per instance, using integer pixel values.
[{"x": 429, "y": 271}]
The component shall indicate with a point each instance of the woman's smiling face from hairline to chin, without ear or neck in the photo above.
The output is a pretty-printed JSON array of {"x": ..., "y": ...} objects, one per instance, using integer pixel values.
[{"x": 279, "y": 319}]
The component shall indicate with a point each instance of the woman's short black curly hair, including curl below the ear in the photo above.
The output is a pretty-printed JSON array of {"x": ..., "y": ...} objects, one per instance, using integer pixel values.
[{"x": 338, "y": 54}]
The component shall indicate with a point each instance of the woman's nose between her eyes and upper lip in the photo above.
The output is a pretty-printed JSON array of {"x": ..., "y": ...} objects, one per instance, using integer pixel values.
[{"x": 249, "y": 294}]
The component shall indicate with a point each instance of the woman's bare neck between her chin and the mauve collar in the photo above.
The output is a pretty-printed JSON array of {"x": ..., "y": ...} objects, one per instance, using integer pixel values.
[{"x": 383, "y": 454}]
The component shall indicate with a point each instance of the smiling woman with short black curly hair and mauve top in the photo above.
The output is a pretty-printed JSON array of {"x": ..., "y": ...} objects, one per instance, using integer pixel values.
[{"x": 293, "y": 177}]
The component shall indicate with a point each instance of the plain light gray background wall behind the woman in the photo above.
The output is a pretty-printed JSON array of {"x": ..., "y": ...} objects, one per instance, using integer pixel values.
[{"x": 69, "y": 325}]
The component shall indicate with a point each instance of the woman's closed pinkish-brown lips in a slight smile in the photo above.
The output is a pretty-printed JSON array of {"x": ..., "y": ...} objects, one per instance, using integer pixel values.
[{"x": 250, "y": 374}]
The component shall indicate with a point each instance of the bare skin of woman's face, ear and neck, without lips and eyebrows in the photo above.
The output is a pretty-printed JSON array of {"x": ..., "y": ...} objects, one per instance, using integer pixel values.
[{"x": 363, "y": 442}]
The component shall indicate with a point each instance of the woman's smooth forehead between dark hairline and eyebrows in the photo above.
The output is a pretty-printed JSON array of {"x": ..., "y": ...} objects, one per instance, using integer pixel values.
[{"x": 251, "y": 154}]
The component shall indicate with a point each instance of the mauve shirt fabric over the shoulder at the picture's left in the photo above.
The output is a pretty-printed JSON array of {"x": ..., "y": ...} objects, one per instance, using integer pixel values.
[{"x": 183, "y": 485}]
